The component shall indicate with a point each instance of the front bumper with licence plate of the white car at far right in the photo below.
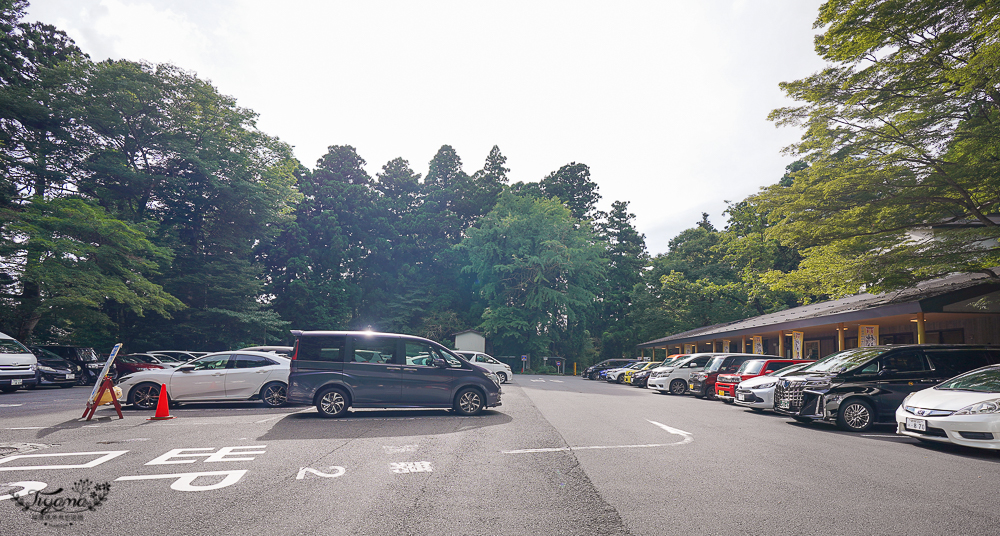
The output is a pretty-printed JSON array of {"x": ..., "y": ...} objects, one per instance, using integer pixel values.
[{"x": 977, "y": 431}]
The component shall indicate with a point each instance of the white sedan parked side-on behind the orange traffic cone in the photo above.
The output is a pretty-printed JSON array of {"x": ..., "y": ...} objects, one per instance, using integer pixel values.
[{"x": 238, "y": 375}]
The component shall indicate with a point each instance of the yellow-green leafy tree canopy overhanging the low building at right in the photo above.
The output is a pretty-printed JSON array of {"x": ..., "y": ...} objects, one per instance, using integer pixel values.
[{"x": 902, "y": 138}]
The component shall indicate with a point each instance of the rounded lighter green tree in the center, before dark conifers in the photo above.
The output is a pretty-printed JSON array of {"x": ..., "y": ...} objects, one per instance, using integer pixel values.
[{"x": 538, "y": 267}]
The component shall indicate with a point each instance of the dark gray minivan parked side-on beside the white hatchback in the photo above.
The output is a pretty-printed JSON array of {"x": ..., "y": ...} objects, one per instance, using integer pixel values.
[{"x": 336, "y": 370}]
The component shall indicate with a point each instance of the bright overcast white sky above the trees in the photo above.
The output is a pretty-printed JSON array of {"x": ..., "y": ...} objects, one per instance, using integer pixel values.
[{"x": 665, "y": 100}]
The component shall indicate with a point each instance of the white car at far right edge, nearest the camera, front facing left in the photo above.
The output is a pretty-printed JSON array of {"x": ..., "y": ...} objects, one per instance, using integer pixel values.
[{"x": 964, "y": 410}]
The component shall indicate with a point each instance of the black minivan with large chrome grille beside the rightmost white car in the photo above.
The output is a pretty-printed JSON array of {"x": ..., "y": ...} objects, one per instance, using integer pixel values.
[{"x": 859, "y": 387}]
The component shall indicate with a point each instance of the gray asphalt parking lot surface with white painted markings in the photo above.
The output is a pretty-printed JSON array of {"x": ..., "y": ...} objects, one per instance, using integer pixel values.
[{"x": 561, "y": 456}]
